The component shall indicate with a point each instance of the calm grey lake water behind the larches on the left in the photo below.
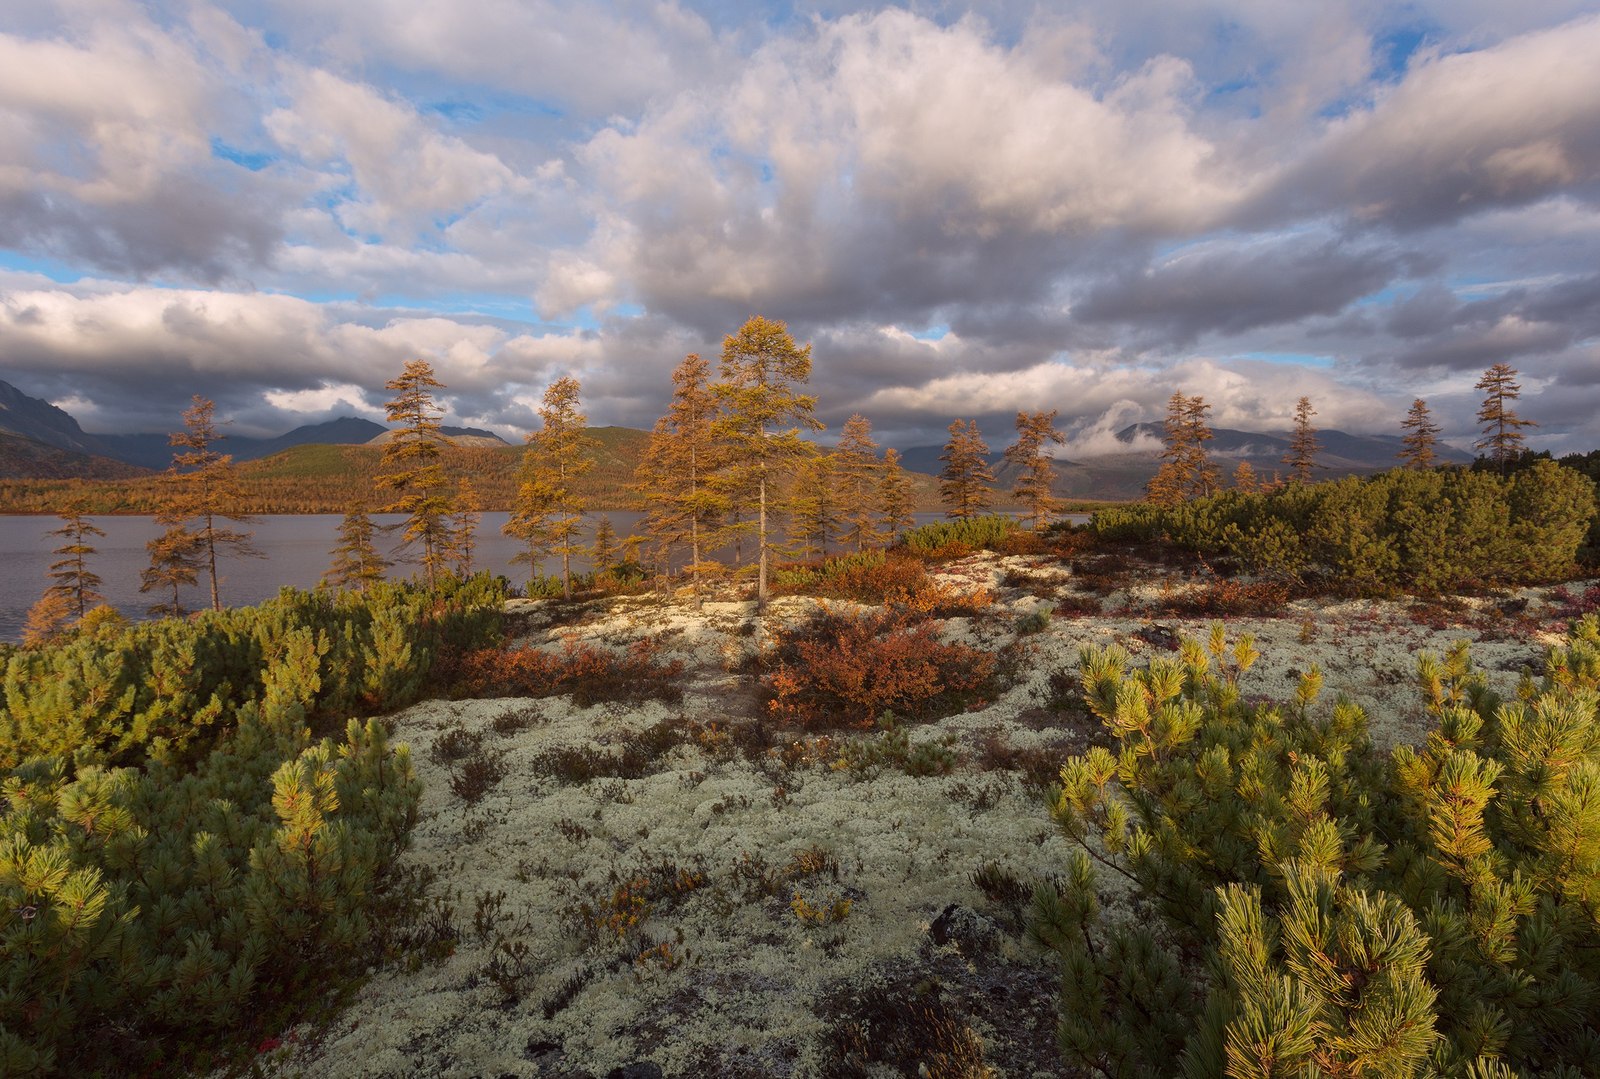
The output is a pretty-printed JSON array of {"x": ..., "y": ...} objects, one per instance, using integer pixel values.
[{"x": 297, "y": 550}]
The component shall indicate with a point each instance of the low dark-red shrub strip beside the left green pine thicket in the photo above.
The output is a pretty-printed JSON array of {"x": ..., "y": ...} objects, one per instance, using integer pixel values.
[{"x": 591, "y": 675}]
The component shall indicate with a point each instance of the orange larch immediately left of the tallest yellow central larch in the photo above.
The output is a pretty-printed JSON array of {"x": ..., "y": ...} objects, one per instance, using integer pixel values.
[{"x": 682, "y": 507}]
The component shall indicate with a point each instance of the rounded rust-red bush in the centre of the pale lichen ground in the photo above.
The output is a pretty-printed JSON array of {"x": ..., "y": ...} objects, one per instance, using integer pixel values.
[{"x": 846, "y": 672}]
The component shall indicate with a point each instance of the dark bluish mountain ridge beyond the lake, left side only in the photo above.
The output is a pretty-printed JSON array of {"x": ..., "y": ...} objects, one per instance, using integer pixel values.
[{"x": 41, "y": 422}]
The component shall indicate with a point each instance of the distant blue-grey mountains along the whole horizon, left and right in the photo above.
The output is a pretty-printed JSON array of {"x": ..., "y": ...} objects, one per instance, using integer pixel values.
[{"x": 39, "y": 441}]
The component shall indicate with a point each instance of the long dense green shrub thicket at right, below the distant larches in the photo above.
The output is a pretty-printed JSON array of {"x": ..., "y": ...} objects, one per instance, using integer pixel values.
[{"x": 1409, "y": 529}]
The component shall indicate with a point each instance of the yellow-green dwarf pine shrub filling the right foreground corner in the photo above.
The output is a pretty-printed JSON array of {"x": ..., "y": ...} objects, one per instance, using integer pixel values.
[{"x": 1310, "y": 907}]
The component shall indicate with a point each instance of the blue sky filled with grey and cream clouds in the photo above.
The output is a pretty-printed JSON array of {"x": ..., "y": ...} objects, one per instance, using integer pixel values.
[{"x": 967, "y": 211}]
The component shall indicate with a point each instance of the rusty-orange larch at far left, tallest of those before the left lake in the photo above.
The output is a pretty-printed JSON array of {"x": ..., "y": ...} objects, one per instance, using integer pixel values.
[{"x": 204, "y": 489}]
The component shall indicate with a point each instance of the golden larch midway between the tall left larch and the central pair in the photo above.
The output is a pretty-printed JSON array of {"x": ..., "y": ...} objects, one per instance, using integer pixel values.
[{"x": 550, "y": 510}]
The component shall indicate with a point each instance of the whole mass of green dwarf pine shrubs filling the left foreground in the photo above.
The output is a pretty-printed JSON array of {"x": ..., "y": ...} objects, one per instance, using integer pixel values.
[{"x": 143, "y": 907}]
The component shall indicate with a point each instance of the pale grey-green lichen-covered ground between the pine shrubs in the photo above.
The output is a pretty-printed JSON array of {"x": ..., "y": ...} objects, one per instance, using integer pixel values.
[{"x": 737, "y": 902}]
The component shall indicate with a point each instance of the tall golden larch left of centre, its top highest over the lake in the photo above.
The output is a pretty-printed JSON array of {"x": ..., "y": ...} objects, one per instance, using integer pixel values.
[{"x": 417, "y": 455}]
